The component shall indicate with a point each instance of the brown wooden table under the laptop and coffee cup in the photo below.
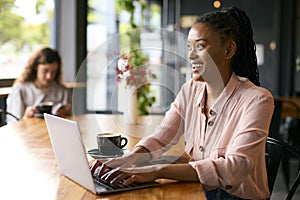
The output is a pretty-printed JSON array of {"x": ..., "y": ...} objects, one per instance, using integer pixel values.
[{"x": 26, "y": 155}]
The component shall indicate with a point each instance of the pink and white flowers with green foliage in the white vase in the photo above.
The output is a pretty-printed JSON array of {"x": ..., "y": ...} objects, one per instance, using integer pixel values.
[{"x": 137, "y": 76}]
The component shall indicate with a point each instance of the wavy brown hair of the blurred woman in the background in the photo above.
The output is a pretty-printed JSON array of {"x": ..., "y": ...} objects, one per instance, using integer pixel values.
[{"x": 44, "y": 55}]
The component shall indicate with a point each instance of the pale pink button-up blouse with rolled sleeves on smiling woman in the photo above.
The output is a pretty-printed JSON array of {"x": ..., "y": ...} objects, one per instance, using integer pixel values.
[{"x": 228, "y": 149}]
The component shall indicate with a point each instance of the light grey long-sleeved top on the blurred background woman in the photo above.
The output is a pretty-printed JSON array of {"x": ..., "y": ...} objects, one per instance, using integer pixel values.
[{"x": 27, "y": 94}]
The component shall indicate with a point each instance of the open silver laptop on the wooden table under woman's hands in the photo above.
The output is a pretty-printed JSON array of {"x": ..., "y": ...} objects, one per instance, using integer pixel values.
[{"x": 72, "y": 159}]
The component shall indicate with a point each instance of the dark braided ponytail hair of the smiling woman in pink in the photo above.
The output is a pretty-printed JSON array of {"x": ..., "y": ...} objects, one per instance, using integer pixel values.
[{"x": 233, "y": 23}]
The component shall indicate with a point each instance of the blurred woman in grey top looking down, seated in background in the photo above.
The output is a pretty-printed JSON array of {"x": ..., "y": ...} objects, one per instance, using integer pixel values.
[{"x": 41, "y": 81}]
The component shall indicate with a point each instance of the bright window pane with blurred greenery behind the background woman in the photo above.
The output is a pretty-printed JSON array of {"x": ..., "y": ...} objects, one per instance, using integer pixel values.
[{"x": 25, "y": 26}]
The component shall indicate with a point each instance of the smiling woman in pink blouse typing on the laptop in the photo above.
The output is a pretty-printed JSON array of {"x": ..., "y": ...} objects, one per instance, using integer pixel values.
[{"x": 222, "y": 113}]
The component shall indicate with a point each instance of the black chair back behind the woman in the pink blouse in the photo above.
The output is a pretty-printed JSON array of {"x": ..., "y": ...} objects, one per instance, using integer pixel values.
[{"x": 275, "y": 150}]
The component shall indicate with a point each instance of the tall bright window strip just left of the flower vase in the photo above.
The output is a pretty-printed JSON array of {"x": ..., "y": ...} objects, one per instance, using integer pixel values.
[{"x": 101, "y": 26}]
